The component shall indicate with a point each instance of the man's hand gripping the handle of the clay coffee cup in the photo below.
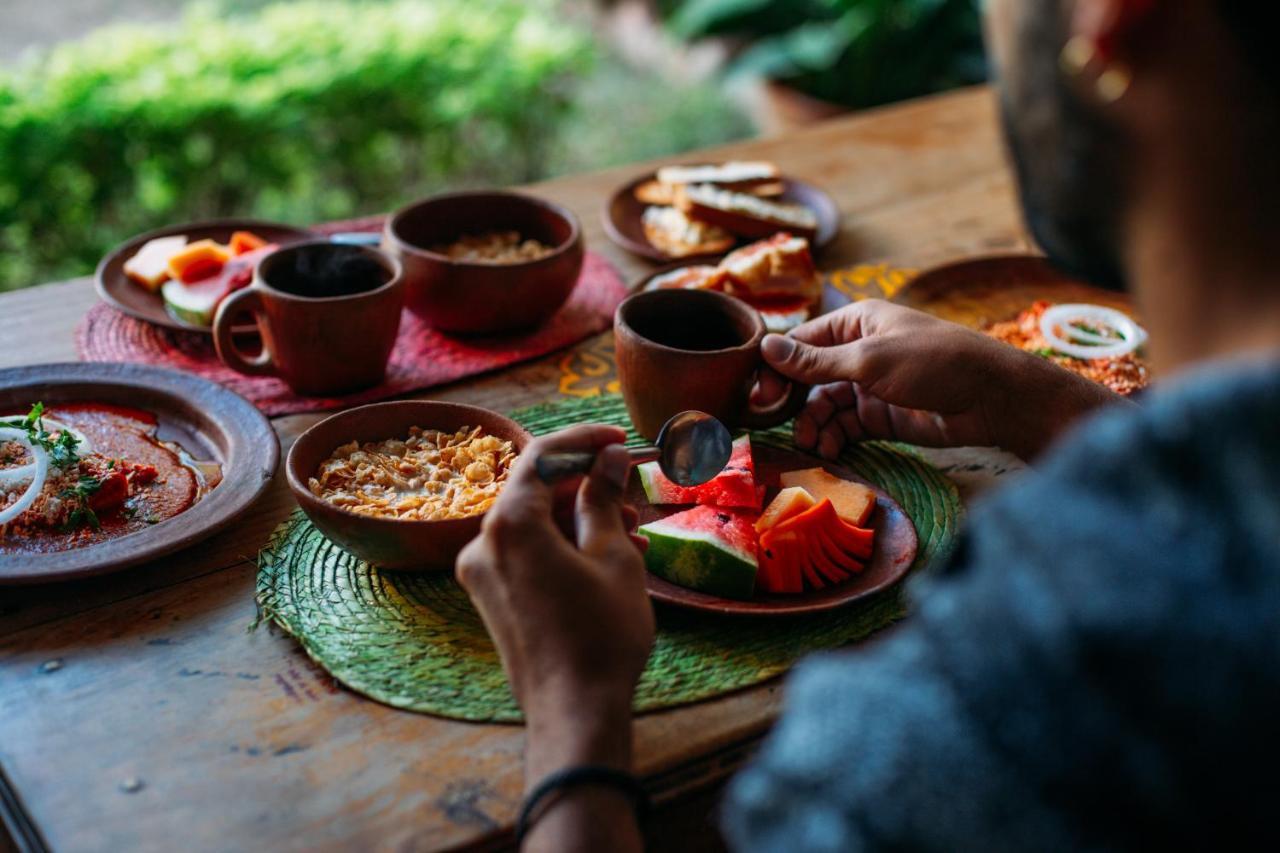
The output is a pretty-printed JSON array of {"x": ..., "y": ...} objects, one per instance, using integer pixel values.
[{"x": 883, "y": 371}]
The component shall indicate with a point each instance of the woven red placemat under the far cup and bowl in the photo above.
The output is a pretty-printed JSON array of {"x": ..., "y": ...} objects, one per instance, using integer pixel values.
[{"x": 423, "y": 358}]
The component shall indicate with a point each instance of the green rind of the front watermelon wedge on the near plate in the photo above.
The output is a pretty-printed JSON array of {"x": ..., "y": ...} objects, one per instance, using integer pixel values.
[{"x": 700, "y": 560}]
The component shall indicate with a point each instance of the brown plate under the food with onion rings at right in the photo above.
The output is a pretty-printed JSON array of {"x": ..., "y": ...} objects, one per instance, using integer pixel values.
[{"x": 990, "y": 290}]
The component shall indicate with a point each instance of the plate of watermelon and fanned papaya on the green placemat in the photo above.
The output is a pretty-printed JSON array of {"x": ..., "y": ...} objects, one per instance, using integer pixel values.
[{"x": 778, "y": 533}]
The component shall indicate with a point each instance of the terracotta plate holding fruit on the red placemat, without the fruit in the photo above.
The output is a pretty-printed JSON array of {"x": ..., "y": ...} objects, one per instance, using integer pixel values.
[{"x": 127, "y": 297}]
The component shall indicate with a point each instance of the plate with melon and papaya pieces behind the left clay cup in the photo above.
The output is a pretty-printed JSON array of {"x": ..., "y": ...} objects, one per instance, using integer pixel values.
[{"x": 176, "y": 277}]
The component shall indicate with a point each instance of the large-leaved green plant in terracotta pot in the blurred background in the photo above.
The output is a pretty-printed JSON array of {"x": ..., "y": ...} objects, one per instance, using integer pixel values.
[{"x": 825, "y": 57}]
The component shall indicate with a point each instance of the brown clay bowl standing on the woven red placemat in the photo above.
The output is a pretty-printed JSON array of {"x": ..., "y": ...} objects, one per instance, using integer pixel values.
[{"x": 467, "y": 298}]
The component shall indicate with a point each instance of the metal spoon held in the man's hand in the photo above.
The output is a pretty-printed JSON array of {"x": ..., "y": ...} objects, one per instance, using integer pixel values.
[{"x": 693, "y": 448}]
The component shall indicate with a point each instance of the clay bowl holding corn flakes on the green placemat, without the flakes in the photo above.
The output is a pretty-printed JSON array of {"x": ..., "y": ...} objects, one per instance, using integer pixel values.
[{"x": 385, "y": 542}]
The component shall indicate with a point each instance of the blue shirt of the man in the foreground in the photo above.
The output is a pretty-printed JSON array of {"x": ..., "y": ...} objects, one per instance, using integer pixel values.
[{"x": 1098, "y": 665}]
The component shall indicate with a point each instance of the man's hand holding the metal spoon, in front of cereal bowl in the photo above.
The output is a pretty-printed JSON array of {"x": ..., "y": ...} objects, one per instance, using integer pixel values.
[{"x": 568, "y": 610}]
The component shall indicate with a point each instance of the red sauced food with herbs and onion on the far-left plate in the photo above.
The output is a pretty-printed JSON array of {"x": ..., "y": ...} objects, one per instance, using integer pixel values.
[{"x": 79, "y": 475}]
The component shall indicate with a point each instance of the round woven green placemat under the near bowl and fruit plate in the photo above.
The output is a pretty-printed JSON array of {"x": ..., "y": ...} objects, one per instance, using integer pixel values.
[{"x": 415, "y": 642}]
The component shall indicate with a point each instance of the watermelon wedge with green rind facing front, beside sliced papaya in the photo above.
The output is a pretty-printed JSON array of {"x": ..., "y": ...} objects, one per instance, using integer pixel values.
[{"x": 707, "y": 549}]
